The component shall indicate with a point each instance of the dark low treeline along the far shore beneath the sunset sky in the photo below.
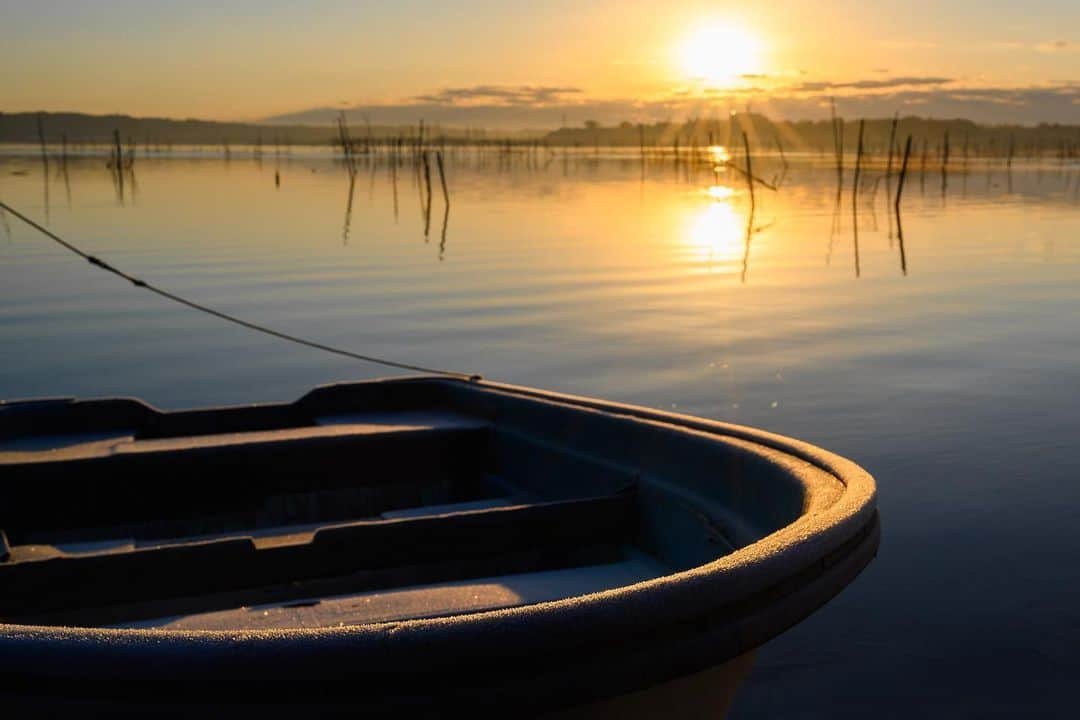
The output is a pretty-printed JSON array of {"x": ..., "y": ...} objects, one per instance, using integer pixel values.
[{"x": 956, "y": 138}]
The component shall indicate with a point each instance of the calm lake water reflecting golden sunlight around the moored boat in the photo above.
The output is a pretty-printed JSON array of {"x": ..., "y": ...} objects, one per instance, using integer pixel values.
[{"x": 956, "y": 385}]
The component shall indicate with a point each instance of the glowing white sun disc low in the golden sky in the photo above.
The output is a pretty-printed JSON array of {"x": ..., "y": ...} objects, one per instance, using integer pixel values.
[{"x": 721, "y": 53}]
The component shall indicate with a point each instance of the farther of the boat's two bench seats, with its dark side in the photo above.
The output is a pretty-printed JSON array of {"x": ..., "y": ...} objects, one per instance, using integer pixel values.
[{"x": 161, "y": 487}]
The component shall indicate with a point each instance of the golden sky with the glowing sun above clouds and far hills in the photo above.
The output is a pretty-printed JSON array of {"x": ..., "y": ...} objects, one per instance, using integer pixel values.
[{"x": 252, "y": 59}]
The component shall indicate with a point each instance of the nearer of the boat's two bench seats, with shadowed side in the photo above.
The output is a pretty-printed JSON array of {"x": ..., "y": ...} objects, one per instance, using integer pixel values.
[{"x": 223, "y": 573}]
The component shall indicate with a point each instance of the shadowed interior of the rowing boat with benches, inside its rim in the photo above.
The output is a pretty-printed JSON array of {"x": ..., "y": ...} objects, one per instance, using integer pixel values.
[{"x": 363, "y": 502}]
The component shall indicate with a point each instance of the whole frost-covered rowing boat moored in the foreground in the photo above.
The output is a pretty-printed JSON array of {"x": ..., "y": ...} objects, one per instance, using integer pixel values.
[{"x": 409, "y": 546}]
